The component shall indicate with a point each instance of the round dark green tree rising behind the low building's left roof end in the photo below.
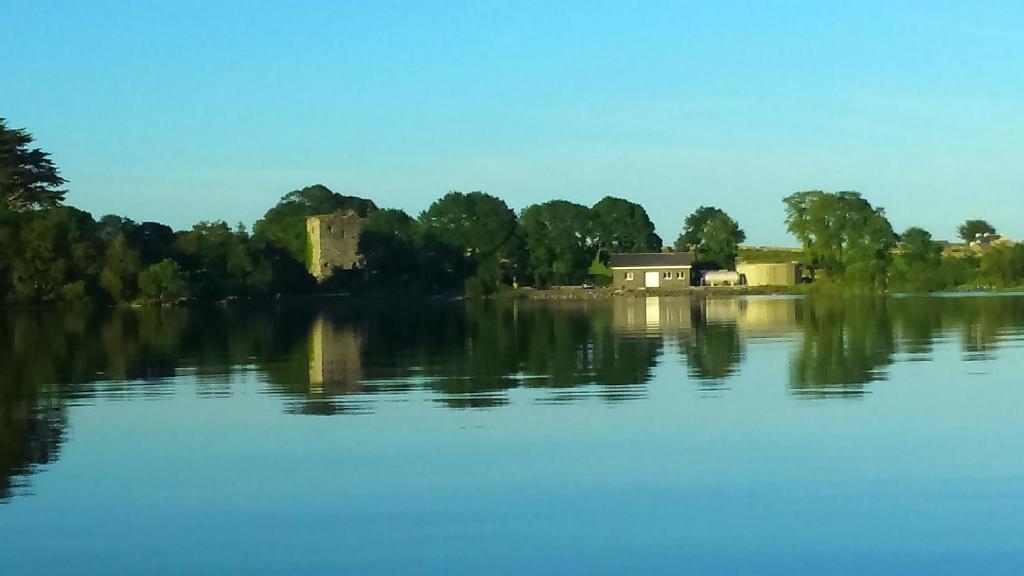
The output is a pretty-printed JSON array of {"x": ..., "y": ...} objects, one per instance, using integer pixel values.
[{"x": 621, "y": 226}]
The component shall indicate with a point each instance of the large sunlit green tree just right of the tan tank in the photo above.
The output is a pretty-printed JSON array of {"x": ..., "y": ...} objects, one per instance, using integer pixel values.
[{"x": 843, "y": 235}]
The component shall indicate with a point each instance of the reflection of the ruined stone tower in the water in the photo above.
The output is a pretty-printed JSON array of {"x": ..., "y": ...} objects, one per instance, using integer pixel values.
[{"x": 335, "y": 361}]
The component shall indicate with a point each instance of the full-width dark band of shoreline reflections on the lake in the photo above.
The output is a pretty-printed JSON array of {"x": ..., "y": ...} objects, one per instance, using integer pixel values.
[{"x": 340, "y": 359}]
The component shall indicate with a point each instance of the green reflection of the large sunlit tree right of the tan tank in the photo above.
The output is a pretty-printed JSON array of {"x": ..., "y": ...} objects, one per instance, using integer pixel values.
[{"x": 846, "y": 345}]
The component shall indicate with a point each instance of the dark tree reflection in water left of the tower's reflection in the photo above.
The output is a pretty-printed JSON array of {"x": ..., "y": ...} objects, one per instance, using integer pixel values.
[{"x": 51, "y": 355}]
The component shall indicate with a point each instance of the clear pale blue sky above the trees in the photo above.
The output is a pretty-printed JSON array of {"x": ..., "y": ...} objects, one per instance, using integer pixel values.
[{"x": 198, "y": 110}]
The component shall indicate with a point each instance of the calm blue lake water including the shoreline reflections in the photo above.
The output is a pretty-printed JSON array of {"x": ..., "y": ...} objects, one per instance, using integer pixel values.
[{"x": 630, "y": 436}]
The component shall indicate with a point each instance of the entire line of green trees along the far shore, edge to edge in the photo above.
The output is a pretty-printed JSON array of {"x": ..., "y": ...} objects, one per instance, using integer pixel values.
[{"x": 463, "y": 242}]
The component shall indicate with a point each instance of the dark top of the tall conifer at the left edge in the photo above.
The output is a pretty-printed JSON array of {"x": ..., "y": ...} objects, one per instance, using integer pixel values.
[{"x": 29, "y": 179}]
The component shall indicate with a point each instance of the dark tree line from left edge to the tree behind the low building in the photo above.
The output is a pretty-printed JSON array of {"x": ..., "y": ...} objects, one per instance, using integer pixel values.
[{"x": 470, "y": 242}]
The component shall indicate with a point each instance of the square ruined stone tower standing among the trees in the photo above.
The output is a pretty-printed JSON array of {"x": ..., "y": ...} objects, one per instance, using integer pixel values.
[{"x": 334, "y": 242}]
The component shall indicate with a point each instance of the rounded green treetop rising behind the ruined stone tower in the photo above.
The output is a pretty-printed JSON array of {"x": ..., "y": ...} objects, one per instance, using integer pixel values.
[{"x": 285, "y": 225}]
